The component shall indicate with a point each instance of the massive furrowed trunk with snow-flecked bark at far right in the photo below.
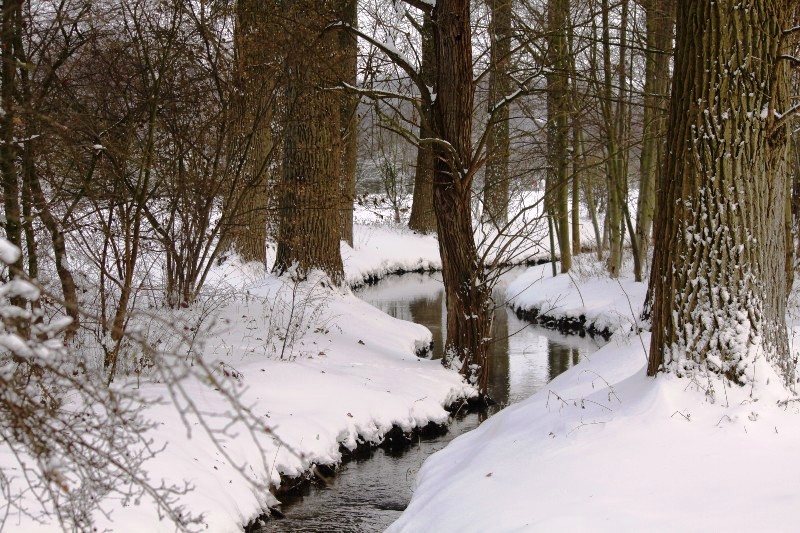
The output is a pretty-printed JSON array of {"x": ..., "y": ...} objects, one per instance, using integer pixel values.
[{"x": 718, "y": 275}]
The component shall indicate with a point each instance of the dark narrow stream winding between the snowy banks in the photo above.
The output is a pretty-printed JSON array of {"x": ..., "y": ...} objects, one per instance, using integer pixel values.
[{"x": 368, "y": 494}]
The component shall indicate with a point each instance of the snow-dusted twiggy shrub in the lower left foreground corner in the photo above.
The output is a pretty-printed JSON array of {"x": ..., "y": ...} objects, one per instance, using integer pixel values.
[{"x": 66, "y": 438}]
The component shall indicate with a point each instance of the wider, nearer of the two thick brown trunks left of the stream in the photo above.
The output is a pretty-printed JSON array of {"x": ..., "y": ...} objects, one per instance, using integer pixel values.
[{"x": 308, "y": 236}]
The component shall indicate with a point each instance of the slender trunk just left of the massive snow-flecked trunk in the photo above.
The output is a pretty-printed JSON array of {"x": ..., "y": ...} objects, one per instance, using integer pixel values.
[{"x": 658, "y": 23}]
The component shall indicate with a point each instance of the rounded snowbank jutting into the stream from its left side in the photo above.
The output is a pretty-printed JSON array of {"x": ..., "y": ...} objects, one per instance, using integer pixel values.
[{"x": 349, "y": 378}]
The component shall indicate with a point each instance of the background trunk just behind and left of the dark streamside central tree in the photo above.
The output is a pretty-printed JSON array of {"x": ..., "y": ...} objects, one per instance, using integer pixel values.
[{"x": 422, "y": 217}]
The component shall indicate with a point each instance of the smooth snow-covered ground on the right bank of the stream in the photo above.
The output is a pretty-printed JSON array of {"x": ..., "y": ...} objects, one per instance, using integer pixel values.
[{"x": 605, "y": 448}]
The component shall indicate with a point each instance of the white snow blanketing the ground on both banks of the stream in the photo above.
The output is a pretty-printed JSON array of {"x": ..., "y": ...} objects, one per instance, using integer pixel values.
[{"x": 602, "y": 447}]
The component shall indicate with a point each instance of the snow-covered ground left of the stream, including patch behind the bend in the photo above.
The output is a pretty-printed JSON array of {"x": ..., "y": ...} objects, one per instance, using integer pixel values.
[{"x": 320, "y": 366}]
